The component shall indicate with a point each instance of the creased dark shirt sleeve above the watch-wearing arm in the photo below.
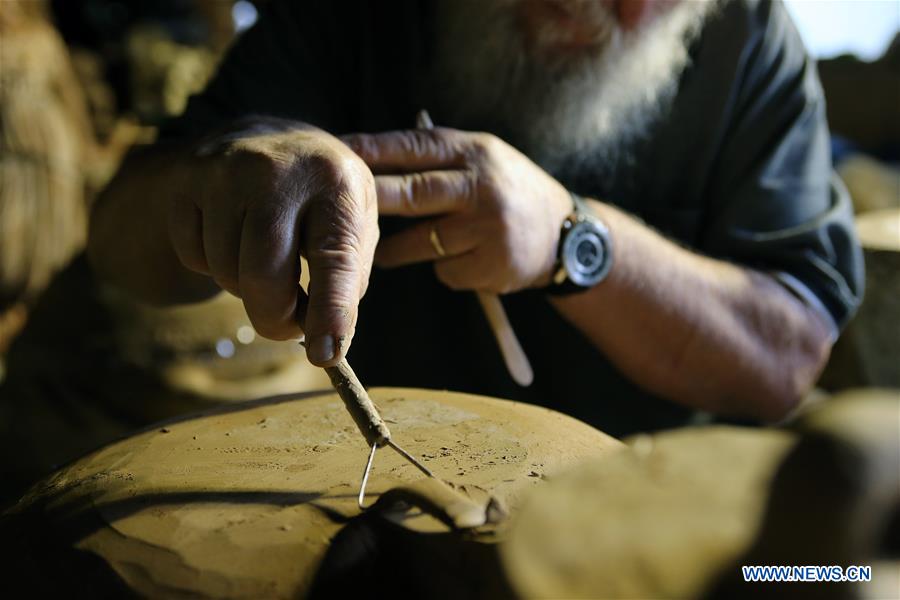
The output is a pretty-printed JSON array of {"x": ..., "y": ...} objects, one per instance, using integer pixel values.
[{"x": 774, "y": 202}]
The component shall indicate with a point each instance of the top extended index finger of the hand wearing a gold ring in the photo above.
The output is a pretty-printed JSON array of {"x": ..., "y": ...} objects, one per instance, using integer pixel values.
[{"x": 409, "y": 150}]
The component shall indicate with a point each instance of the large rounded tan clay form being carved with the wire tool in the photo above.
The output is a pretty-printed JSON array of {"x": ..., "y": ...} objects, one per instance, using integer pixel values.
[{"x": 242, "y": 502}]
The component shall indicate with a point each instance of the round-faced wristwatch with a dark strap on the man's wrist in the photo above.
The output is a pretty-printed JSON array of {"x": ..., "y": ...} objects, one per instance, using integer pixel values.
[{"x": 584, "y": 256}]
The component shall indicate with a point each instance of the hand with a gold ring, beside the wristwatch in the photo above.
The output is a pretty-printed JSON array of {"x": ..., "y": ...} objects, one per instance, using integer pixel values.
[{"x": 495, "y": 213}]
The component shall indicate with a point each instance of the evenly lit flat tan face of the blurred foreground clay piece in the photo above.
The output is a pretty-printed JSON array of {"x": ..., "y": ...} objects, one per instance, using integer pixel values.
[{"x": 661, "y": 520}]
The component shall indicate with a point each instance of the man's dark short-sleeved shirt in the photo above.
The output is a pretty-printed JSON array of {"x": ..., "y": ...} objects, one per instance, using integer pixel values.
[{"x": 737, "y": 168}]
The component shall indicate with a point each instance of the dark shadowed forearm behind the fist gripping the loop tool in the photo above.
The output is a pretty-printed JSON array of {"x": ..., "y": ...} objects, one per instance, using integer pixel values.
[{"x": 129, "y": 243}]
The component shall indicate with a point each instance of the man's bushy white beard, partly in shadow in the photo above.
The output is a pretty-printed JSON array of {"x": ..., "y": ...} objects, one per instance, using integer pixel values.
[{"x": 561, "y": 112}]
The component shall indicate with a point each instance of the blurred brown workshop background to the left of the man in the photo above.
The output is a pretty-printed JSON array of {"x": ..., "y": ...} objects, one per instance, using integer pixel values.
[{"x": 81, "y": 83}]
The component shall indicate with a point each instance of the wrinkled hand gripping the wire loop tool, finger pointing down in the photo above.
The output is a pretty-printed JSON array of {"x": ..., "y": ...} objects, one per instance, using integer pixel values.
[{"x": 255, "y": 201}]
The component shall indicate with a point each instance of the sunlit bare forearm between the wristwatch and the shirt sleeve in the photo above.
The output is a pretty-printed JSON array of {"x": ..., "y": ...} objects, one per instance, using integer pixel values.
[{"x": 699, "y": 331}]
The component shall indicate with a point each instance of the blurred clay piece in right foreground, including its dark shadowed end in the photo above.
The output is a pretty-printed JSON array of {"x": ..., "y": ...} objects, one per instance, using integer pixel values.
[{"x": 678, "y": 513}]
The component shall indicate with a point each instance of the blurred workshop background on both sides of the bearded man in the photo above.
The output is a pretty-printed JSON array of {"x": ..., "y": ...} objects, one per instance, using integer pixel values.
[{"x": 82, "y": 81}]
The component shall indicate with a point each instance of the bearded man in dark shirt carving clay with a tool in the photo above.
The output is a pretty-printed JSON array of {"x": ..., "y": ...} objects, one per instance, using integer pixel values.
[{"x": 687, "y": 138}]
